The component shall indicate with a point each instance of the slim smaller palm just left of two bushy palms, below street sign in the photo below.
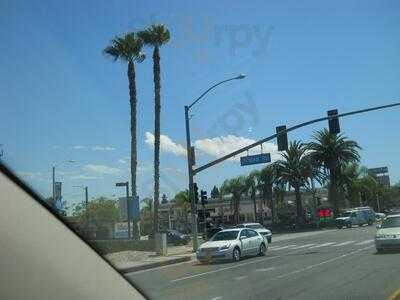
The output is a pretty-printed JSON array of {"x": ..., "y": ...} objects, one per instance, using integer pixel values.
[{"x": 267, "y": 177}]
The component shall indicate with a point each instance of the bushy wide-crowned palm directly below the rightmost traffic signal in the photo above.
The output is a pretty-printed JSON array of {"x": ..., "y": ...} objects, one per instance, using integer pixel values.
[{"x": 332, "y": 151}]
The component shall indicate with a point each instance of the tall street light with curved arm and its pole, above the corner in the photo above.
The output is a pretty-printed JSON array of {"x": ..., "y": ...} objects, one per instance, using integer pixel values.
[{"x": 191, "y": 162}]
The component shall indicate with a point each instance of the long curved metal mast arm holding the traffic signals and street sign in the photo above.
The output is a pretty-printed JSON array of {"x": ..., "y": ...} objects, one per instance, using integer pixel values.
[{"x": 234, "y": 153}]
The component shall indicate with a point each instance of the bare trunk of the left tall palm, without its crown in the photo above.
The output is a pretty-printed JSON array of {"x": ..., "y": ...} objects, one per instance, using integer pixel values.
[{"x": 133, "y": 105}]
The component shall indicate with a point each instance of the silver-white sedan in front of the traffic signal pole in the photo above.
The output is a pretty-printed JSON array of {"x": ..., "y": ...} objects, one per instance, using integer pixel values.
[{"x": 232, "y": 244}]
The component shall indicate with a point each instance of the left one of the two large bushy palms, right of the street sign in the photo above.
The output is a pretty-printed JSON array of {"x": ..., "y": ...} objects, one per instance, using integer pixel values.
[{"x": 293, "y": 169}]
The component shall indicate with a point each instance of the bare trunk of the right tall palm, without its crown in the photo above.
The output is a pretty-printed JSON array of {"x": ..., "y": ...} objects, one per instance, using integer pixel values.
[{"x": 157, "y": 111}]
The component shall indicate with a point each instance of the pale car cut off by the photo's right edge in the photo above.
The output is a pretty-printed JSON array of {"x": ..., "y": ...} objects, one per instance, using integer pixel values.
[{"x": 388, "y": 234}]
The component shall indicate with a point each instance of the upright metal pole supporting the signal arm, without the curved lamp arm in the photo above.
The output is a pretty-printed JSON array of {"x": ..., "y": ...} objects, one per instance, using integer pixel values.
[{"x": 190, "y": 173}]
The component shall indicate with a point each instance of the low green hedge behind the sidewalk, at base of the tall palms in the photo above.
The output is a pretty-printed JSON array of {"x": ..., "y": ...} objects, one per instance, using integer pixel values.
[{"x": 110, "y": 246}]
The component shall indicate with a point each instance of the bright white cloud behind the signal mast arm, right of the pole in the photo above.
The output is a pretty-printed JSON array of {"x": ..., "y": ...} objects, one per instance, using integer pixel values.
[{"x": 220, "y": 146}]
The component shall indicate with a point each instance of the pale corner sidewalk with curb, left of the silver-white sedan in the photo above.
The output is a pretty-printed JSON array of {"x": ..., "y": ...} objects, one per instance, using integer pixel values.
[{"x": 132, "y": 261}]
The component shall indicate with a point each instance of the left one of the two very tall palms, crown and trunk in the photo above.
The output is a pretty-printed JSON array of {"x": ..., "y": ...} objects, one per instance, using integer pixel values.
[{"x": 128, "y": 49}]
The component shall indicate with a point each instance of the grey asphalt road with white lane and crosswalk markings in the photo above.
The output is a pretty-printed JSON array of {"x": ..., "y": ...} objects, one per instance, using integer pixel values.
[{"x": 335, "y": 264}]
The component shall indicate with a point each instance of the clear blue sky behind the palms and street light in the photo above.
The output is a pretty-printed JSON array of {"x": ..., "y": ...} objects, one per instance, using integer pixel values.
[{"x": 62, "y": 99}]
